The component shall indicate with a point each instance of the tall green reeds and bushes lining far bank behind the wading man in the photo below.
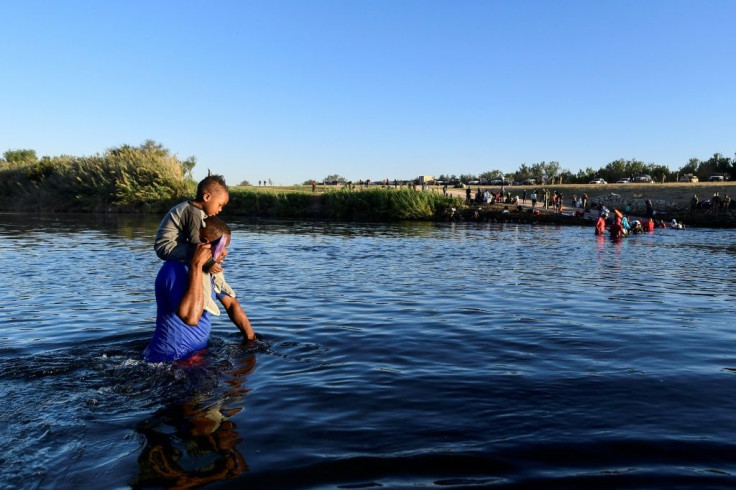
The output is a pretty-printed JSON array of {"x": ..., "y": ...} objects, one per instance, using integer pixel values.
[{"x": 147, "y": 179}]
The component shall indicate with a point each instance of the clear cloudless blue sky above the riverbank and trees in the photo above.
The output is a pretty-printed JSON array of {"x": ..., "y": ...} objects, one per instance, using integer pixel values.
[{"x": 295, "y": 90}]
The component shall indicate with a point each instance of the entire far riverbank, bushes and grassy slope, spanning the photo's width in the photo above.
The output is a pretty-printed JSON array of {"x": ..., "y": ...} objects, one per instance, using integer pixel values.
[{"x": 148, "y": 179}]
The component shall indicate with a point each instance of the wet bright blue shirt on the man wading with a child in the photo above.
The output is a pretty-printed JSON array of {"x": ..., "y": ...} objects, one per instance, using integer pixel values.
[{"x": 174, "y": 339}]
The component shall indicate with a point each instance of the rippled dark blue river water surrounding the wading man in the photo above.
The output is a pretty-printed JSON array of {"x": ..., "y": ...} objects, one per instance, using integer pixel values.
[{"x": 430, "y": 355}]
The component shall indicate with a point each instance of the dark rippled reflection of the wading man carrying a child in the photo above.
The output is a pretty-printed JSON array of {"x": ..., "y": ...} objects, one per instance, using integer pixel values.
[{"x": 192, "y": 443}]
